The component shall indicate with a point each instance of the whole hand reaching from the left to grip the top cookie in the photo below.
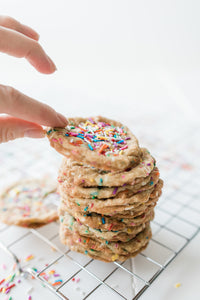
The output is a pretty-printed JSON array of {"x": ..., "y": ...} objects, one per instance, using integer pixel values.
[{"x": 24, "y": 114}]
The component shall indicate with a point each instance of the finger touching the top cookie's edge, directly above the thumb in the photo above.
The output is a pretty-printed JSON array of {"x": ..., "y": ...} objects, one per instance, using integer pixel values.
[{"x": 18, "y": 105}]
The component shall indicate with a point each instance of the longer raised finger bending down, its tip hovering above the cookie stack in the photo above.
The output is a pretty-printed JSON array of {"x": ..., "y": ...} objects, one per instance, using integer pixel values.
[{"x": 19, "y": 45}]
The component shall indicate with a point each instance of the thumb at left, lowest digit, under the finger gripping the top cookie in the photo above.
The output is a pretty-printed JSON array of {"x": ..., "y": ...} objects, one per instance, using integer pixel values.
[{"x": 13, "y": 128}]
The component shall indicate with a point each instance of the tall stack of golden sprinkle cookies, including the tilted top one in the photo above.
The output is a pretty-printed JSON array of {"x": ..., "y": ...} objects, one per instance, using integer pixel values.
[{"x": 109, "y": 187}]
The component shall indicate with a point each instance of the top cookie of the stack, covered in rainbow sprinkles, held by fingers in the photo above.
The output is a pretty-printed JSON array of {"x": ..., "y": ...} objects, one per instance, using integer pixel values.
[{"x": 99, "y": 142}]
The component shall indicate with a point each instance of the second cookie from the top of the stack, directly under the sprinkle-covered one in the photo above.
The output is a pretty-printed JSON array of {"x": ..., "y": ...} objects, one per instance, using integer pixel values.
[{"x": 77, "y": 174}]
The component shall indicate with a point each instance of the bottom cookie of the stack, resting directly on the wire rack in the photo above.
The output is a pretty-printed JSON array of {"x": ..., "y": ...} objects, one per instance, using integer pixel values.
[{"x": 106, "y": 251}]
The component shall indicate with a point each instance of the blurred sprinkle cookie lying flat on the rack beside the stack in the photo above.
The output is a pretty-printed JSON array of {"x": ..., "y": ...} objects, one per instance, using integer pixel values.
[{"x": 29, "y": 203}]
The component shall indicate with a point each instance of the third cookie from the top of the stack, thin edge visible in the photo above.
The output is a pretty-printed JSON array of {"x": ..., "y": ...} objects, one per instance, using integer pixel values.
[{"x": 109, "y": 192}]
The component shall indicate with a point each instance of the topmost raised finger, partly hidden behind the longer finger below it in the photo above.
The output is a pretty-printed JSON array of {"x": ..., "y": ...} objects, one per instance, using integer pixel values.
[{"x": 13, "y": 24}]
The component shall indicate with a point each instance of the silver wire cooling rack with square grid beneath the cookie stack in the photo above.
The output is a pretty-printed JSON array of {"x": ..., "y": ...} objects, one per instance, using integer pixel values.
[{"x": 176, "y": 222}]
